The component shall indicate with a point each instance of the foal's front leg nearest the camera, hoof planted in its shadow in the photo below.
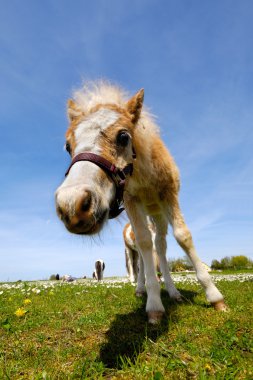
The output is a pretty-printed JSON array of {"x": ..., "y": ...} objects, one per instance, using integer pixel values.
[{"x": 154, "y": 306}]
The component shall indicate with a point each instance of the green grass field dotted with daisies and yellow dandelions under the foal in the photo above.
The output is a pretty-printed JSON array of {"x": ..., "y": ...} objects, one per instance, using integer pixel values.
[{"x": 87, "y": 330}]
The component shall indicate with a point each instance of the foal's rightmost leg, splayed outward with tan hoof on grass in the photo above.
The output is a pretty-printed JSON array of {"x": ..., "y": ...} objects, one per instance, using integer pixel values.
[{"x": 184, "y": 239}]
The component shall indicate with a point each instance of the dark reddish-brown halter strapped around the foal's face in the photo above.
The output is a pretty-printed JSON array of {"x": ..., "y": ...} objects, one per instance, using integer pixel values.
[{"x": 117, "y": 175}]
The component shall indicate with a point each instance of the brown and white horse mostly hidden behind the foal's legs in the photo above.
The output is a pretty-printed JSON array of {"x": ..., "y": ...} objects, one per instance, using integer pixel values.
[{"x": 134, "y": 262}]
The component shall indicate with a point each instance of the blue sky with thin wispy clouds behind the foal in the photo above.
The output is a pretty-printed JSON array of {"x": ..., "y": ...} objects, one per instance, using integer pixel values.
[{"x": 195, "y": 62}]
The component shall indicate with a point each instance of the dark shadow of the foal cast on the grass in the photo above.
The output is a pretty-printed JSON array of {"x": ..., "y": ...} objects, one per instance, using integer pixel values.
[{"x": 128, "y": 333}]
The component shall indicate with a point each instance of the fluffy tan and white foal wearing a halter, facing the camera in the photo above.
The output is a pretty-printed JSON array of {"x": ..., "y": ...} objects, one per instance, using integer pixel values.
[{"x": 117, "y": 155}]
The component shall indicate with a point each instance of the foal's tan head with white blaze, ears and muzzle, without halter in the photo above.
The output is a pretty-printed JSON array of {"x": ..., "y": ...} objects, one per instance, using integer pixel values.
[{"x": 85, "y": 197}]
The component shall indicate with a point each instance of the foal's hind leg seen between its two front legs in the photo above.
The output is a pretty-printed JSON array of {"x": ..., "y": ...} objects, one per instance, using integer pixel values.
[{"x": 161, "y": 247}]
